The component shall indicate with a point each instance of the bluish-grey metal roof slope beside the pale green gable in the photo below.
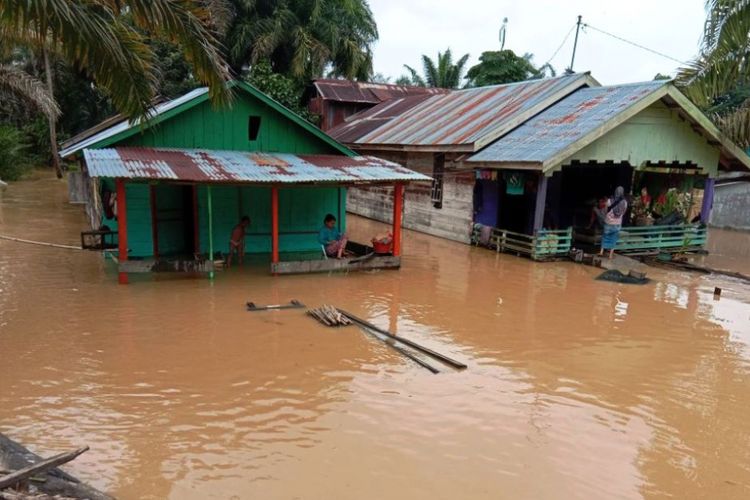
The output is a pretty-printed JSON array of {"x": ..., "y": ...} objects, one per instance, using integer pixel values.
[{"x": 562, "y": 124}]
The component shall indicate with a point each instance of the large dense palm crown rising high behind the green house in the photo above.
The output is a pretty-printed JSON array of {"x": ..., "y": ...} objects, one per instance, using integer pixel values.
[{"x": 303, "y": 38}]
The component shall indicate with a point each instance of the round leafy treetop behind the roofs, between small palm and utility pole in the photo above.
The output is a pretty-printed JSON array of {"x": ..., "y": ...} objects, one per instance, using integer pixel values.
[{"x": 503, "y": 66}]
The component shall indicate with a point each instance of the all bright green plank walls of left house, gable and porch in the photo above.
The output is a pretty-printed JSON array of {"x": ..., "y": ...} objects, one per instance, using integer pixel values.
[{"x": 301, "y": 209}]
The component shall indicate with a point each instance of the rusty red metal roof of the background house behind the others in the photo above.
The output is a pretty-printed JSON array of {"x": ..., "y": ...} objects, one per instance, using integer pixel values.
[{"x": 367, "y": 92}]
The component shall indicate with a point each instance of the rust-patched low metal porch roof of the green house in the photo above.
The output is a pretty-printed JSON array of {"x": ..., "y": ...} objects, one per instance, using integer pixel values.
[{"x": 208, "y": 166}]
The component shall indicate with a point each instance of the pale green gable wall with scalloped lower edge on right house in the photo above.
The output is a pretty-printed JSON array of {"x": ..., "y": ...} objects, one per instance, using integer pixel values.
[{"x": 655, "y": 134}]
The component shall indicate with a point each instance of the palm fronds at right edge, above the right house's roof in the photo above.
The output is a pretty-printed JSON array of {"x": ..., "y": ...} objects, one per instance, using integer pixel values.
[{"x": 723, "y": 66}]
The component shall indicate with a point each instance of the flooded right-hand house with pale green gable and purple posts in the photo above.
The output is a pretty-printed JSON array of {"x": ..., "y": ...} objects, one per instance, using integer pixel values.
[{"x": 529, "y": 160}]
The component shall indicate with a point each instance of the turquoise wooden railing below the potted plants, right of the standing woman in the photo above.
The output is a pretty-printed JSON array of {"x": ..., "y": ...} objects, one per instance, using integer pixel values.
[{"x": 677, "y": 238}]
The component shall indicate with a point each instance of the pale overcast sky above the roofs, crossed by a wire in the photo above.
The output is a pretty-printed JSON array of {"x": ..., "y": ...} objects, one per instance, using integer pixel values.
[{"x": 409, "y": 28}]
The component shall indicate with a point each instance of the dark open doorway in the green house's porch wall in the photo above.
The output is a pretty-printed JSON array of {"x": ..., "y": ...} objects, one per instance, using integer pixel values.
[{"x": 174, "y": 220}]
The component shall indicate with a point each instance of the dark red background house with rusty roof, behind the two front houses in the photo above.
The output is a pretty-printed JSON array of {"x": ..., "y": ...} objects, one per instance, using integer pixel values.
[{"x": 334, "y": 100}]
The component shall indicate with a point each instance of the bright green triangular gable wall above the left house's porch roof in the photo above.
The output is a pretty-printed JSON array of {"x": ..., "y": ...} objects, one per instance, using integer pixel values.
[{"x": 204, "y": 126}]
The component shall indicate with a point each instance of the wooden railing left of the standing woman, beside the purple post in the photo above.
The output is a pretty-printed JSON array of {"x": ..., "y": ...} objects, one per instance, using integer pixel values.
[{"x": 544, "y": 245}]
